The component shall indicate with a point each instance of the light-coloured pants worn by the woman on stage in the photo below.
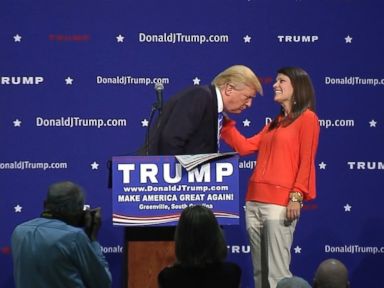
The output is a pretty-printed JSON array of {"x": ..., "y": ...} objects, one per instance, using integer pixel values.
[{"x": 270, "y": 237}]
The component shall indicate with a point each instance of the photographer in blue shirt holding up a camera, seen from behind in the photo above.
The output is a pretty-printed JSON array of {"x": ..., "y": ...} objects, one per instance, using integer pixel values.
[{"x": 59, "y": 248}]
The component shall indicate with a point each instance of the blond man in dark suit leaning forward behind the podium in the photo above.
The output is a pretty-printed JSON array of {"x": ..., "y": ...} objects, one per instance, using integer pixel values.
[{"x": 189, "y": 120}]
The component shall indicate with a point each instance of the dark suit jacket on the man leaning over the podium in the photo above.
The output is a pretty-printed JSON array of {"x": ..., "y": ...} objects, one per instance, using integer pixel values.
[{"x": 188, "y": 124}]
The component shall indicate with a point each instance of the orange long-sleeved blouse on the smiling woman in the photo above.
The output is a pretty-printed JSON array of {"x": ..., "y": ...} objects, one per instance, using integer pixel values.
[{"x": 286, "y": 158}]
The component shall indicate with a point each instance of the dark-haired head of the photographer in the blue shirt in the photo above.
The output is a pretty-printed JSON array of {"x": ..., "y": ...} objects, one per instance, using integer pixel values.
[{"x": 65, "y": 201}]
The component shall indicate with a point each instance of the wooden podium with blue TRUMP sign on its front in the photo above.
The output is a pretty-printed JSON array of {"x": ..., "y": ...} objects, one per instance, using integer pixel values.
[{"x": 148, "y": 196}]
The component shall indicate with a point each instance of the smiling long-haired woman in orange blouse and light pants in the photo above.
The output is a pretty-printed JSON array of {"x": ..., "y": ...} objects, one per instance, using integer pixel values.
[{"x": 284, "y": 175}]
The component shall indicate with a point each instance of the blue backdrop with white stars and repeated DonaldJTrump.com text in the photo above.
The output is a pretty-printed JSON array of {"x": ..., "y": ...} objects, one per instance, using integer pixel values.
[{"x": 77, "y": 84}]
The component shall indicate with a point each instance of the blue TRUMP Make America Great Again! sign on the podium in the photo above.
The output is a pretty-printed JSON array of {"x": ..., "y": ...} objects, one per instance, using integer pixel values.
[{"x": 153, "y": 190}]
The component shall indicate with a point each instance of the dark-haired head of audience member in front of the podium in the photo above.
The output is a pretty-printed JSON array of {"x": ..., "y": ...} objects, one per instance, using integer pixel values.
[{"x": 198, "y": 238}]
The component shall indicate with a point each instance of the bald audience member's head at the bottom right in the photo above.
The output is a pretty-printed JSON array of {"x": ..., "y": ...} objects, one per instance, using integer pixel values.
[{"x": 331, "y": 273}]
